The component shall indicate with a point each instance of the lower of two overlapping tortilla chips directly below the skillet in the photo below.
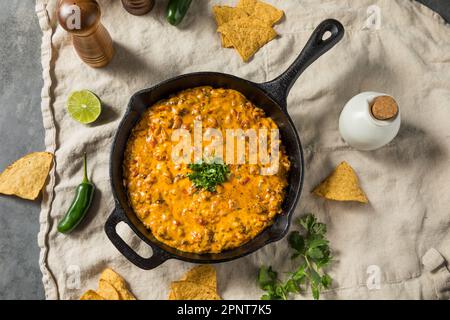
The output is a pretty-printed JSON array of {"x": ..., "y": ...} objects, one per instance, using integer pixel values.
[{"x": 186, "y": 290}]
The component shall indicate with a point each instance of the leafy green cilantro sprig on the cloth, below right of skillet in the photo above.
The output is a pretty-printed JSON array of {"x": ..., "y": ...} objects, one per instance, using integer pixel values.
[{"x": 312, "y": 251}]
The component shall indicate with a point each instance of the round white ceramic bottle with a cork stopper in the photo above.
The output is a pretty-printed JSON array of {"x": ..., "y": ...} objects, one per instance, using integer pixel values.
[{"x": 370, "y": 120}]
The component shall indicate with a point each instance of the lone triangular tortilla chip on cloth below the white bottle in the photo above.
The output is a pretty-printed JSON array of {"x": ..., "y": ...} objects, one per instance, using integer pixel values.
[{"x": 342, "y": 185}]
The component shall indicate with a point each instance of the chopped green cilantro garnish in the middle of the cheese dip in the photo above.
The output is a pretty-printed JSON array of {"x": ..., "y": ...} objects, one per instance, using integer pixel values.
[{"x": 208, "y": 175}]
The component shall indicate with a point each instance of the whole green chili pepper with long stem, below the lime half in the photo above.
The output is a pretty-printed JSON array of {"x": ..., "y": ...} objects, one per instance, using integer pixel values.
[{"x": 80, "y": 205}]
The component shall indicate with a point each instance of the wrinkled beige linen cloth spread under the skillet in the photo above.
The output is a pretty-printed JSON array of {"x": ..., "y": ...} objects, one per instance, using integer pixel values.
[{"x": 397, "y": 247}]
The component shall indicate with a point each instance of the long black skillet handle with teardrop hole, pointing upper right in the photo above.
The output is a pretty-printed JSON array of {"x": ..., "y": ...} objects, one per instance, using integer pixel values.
[{"x": 316, "y": 46}]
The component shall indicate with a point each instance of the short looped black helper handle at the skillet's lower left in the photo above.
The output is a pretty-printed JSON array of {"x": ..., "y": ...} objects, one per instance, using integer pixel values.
[{"x": 158, "y": 256}]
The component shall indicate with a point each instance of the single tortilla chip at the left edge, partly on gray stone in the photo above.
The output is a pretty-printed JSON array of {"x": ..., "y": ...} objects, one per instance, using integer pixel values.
[{"x": 26, "y": 177}]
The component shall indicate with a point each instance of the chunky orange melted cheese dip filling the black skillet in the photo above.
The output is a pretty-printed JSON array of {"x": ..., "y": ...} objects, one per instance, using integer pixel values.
[{"x": 166, "y": 201}]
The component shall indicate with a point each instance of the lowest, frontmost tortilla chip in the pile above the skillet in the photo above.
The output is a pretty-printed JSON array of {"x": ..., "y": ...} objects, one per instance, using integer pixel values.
[{"x": 247, "y": 35}]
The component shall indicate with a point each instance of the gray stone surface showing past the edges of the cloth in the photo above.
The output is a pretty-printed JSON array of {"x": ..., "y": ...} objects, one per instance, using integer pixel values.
[{"x": 21, "y": 132}]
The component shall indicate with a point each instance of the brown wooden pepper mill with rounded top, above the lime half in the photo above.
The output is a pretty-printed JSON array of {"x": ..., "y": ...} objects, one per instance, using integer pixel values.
[{"x": 92, "y": 42}]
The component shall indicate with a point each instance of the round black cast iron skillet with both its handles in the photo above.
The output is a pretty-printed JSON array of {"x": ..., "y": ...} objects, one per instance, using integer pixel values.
[{"x": 271, "y": 97}]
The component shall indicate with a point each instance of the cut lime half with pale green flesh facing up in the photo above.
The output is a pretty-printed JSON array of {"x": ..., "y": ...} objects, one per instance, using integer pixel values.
[{"x": 84, "y": 106}]
